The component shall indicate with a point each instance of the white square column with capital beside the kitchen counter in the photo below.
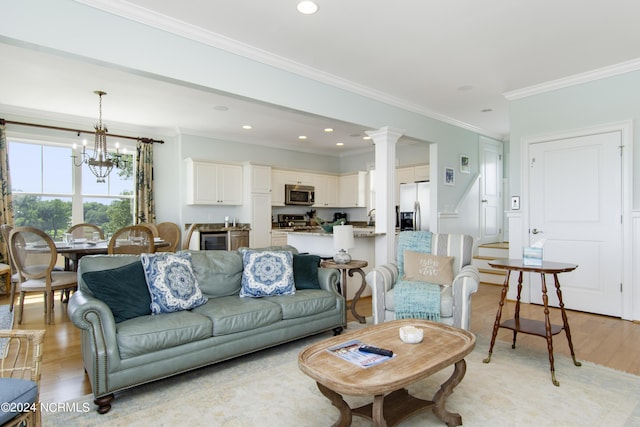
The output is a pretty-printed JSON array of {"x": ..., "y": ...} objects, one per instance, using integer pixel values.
[{"x": 385, "y": 140}]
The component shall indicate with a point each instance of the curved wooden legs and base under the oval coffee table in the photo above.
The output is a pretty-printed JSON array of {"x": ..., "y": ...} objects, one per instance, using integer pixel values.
[{"x": 399, "y": 405}]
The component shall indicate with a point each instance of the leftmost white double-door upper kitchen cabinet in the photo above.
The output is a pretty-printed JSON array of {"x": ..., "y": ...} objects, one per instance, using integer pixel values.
[{"x": 213, "y": 183}]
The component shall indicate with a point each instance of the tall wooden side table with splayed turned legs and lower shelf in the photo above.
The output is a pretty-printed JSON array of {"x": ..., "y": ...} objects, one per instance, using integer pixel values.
[{"x": 528, "y": 326}]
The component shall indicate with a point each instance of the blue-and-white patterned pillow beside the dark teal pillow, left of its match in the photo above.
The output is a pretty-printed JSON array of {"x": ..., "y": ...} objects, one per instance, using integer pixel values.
[{"x": 172, "y": 284}]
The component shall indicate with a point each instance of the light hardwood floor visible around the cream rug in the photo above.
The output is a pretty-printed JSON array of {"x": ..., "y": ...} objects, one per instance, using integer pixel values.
[{"x": 599, "y": 339}]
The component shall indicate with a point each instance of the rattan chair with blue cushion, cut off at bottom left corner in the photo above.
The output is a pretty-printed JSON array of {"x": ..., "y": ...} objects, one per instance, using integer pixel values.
[{"x": 20, "y": 374}]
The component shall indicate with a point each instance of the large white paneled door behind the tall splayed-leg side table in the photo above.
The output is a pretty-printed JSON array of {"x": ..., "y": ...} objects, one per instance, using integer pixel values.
[{"x": 576, "y": 205}]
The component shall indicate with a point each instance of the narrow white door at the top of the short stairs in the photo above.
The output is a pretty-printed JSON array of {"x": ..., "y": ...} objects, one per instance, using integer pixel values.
[{"x": 490, "y": 191}]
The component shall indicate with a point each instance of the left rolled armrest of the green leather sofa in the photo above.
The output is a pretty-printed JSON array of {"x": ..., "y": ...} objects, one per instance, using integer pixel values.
[{"x": 98, "y": 326}]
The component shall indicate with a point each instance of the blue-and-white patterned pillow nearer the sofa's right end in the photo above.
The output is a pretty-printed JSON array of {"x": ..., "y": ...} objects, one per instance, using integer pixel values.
[{"x": 267, "y": 274}]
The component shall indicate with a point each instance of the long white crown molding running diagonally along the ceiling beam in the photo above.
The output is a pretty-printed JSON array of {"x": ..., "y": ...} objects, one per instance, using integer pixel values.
[{"x": 166, "y": 23}]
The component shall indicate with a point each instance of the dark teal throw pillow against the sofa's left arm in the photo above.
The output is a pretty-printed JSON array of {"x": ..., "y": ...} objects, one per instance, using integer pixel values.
[{"x": 123, "y": 289}]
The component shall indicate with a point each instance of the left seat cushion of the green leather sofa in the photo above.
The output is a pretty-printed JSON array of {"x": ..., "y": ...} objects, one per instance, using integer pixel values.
[{"x": 146, "y": 334}]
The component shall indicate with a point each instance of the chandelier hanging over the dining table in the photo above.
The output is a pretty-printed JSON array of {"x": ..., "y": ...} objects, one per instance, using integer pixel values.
[{"x": 101, "y": 162}]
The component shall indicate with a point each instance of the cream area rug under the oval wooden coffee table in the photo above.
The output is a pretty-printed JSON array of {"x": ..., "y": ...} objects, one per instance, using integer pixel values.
[{"x": 268, "y": 389}]
